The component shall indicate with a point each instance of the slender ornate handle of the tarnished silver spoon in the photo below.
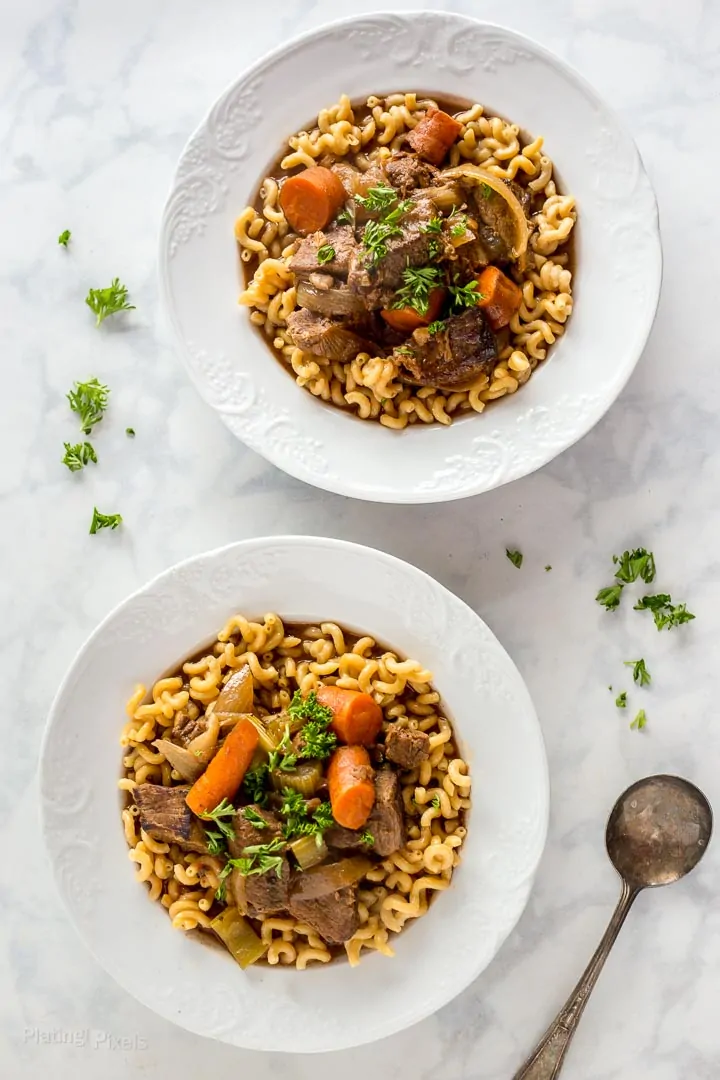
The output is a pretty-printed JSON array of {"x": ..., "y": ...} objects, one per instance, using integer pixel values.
[{"x": 547, "y": 1060}]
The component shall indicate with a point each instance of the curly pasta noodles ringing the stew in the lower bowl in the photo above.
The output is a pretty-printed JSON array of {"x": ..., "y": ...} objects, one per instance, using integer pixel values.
[{"x": 283, "y": 659}]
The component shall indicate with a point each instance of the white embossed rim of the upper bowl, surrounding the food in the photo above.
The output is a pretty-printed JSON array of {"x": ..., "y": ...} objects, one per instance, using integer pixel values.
[{"x": 617, "y": 286}]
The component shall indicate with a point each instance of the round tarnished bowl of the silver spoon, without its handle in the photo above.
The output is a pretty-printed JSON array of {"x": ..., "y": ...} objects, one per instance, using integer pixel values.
[{"x": 659, "y": 831}]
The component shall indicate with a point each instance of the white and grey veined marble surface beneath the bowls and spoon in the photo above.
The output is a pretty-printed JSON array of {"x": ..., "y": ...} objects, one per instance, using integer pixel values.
[{"x": 96, "y": 105}]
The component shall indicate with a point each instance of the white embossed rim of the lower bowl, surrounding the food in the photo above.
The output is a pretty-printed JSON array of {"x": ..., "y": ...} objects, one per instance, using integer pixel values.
[{"x": 203, "y": 990}]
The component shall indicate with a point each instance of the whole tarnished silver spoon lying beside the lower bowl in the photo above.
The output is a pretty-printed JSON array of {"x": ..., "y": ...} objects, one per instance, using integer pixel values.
[{"x": 658, "y": 832}]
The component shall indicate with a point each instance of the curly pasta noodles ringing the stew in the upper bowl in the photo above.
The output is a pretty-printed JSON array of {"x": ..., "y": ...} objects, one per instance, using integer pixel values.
[{"x": 371, "y": 387}]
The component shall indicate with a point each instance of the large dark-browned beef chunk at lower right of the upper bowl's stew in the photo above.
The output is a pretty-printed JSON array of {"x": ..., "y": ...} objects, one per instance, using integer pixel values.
[{"x": 455, "y": 357}]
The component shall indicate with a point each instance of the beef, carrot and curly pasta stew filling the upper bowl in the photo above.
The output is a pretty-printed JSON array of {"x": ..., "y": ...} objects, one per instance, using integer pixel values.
[{"x": 409, "y": 260}]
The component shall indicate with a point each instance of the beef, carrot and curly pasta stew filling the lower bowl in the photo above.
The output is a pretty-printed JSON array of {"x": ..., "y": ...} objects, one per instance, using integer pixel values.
[{"x": 294, "y": 792}]
